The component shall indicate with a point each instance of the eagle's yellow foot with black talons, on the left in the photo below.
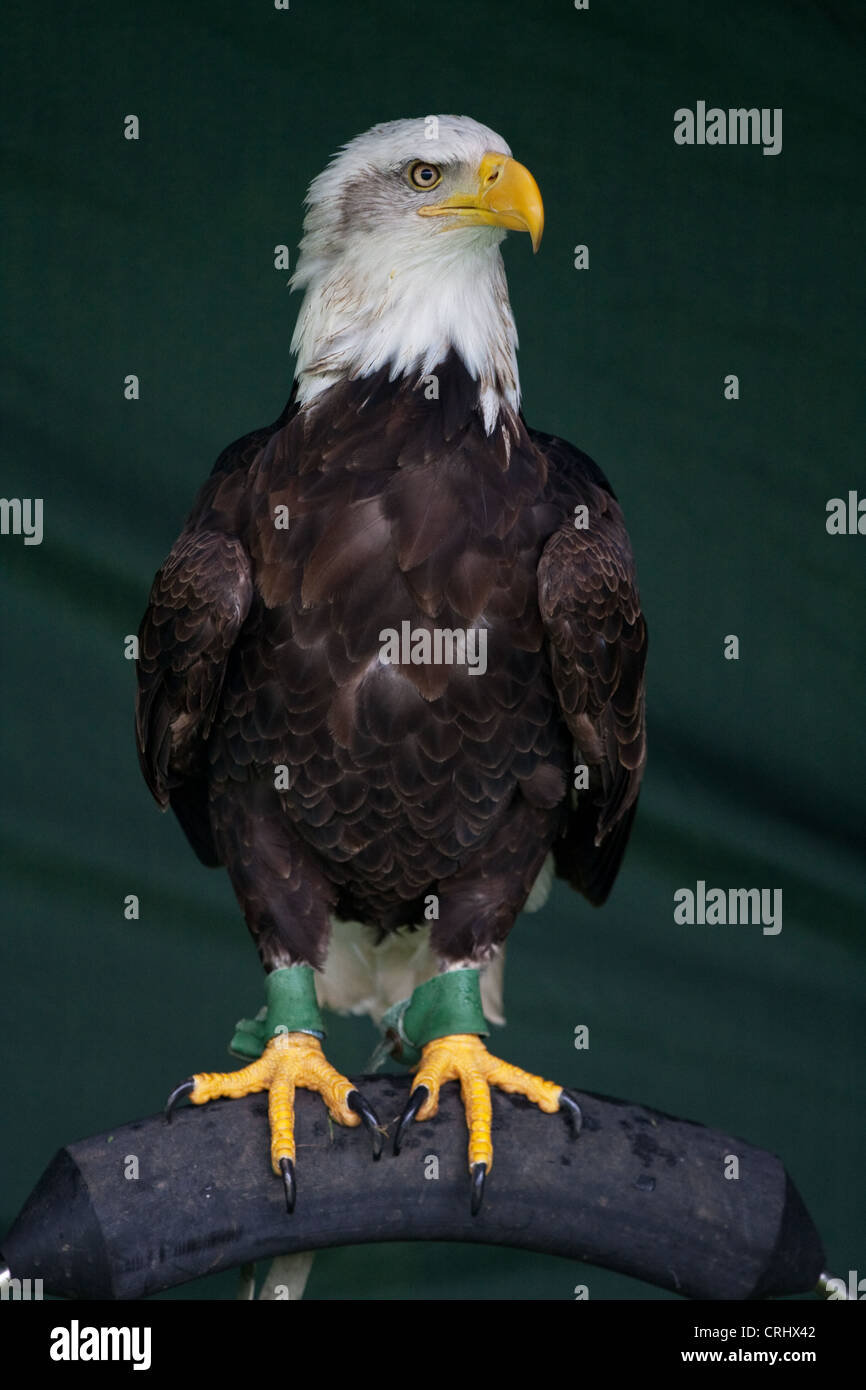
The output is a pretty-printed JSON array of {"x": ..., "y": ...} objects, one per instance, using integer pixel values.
[{"x": 288, "y": 1061}]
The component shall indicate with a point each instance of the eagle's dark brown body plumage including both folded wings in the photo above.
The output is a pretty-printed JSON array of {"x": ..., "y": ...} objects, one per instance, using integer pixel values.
[{"x": 261, "y": 650}]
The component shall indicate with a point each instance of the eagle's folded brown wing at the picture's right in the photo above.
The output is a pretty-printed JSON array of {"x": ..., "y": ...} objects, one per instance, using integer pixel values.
[{"x": 597, "y": 639}]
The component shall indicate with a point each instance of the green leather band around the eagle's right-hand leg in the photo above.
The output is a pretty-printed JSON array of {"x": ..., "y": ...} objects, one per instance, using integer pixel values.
[{"x": 447, "y": 1004}]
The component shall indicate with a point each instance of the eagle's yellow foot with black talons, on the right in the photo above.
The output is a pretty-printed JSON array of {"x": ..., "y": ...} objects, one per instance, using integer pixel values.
[{"x": 462, "y": 1057}]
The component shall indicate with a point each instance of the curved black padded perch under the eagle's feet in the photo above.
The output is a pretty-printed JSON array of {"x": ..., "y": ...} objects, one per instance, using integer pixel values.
[{"x": 640, "y": 1192}]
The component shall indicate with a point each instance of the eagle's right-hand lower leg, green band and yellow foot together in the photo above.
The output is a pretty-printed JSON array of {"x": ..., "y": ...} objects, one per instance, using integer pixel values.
[{"x": 444, "y": 1018}]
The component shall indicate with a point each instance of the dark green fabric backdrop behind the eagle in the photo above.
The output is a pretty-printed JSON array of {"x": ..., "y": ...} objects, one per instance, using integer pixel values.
[{"x": 156, "y": 258}]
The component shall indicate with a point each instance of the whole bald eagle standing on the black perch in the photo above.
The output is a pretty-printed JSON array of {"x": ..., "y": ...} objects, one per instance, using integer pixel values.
[{"x": 393, "y": 671}]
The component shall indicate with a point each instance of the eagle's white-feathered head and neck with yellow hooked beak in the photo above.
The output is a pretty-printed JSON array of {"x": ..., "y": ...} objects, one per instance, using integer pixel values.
[{"x": 401, "y": 258}]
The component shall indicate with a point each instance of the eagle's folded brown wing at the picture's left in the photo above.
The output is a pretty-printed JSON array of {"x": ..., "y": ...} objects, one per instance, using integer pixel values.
[{"x": 198, "y": 605}]
